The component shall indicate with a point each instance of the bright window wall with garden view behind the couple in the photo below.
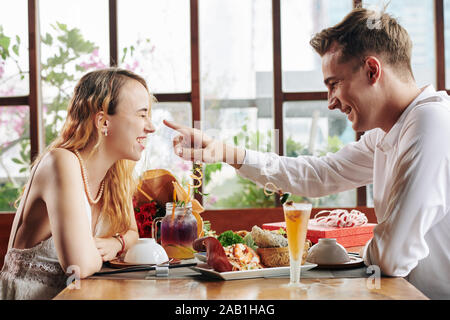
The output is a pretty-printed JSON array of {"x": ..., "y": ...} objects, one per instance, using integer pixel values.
[{"x": 242, "y": 70}]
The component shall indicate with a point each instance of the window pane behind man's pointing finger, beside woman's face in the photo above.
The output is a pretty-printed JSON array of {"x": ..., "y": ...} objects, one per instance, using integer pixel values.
[{"x": 159, "y": 152}]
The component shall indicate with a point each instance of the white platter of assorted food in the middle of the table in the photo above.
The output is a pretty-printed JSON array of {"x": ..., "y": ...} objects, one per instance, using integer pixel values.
[{"x": 243, "y": 255}]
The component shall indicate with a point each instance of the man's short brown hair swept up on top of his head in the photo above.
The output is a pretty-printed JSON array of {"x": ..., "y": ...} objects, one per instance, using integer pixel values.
[{"x": 364, "y": 31}]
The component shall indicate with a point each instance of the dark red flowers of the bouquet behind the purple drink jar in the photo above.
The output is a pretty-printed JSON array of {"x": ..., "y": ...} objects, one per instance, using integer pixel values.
[{"x": 145, "y": 213}]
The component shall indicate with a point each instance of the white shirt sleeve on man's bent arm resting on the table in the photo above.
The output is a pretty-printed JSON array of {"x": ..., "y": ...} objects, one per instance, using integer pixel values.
[{"x": 419, "y": 194}]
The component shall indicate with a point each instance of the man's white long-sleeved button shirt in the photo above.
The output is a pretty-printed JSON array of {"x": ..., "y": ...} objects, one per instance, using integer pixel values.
[{"x": 410, "y": 170}]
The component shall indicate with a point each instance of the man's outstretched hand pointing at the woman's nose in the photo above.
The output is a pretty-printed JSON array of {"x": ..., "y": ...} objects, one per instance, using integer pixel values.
[{"x": 193, "y": 145}]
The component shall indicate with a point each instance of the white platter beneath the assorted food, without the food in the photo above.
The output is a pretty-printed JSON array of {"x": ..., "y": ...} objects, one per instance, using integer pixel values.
[{"x": 247, "y": 274}]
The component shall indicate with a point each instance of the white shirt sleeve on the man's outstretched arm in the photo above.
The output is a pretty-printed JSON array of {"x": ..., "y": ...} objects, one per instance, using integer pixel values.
[{"x": 311, "y": 176}]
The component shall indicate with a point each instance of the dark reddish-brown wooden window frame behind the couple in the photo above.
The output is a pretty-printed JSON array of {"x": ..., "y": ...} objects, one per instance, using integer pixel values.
[{"x": 34, "y": 99}]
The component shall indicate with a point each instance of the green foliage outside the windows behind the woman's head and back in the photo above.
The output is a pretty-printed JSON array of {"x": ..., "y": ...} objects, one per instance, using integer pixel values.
[{"x": 72, "y": 56}]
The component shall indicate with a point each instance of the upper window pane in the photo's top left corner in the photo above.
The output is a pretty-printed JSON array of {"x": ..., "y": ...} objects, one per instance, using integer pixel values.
[{"x": 14, "y": 66}]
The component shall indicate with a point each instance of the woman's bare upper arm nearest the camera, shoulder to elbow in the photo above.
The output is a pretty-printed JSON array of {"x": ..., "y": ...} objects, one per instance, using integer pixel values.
[{"x": 66, "y": 206}]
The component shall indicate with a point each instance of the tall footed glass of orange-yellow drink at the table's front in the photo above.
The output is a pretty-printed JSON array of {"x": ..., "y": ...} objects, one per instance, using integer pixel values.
[{"x": 296, "y": 216}]
